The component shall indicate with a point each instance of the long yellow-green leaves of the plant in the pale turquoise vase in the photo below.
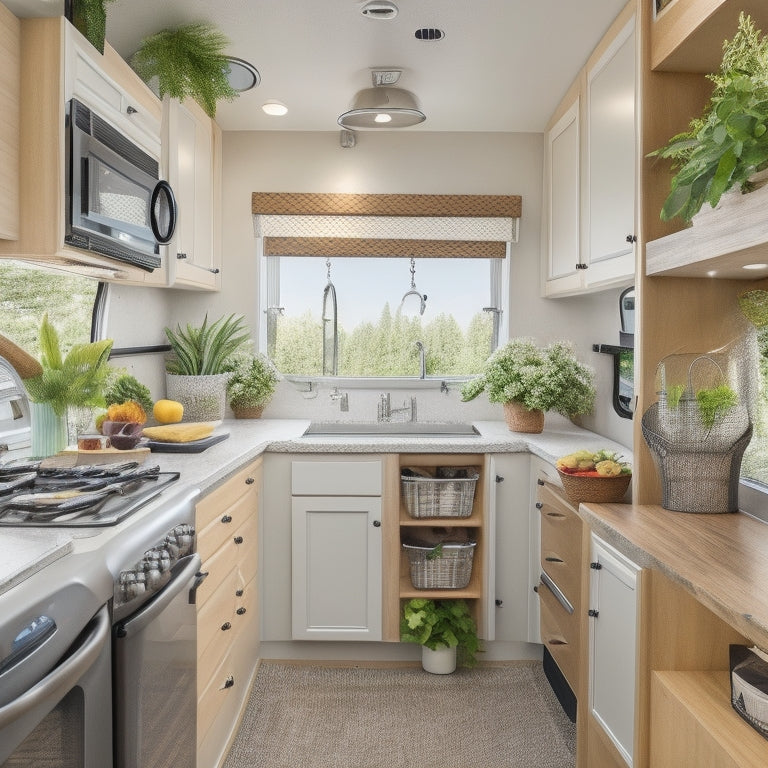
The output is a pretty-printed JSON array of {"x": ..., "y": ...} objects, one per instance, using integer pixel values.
[{"x": 75, "y": 379}]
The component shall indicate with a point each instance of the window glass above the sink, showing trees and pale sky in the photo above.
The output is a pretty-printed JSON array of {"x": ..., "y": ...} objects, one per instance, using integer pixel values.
[{"x": 377, "y": 327}]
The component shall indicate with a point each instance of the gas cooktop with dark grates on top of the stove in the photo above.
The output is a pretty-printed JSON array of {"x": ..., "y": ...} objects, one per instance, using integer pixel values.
[{"x": 89, "y": 495}]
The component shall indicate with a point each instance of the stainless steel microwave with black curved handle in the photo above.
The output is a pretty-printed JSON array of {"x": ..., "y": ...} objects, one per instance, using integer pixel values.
[{"x": 116, "y": 203}]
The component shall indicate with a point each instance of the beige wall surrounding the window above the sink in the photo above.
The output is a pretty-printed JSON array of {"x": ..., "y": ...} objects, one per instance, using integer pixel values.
[{"x": 407, "y": 162}]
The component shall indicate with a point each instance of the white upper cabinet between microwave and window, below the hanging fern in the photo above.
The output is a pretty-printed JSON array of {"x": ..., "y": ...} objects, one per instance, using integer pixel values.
[{"x": 192, "y": 144}]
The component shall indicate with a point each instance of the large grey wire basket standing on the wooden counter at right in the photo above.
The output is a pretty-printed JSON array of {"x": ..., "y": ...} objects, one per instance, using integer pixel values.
[{"x": 698, "y": 463}]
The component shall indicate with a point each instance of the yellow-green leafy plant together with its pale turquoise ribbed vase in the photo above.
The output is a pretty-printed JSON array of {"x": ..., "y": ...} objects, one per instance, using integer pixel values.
[{"x": 65, "y": 381}]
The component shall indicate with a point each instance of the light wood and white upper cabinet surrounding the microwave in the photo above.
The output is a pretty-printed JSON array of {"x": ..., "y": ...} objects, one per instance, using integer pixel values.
[{"x": 58, "y": 64}]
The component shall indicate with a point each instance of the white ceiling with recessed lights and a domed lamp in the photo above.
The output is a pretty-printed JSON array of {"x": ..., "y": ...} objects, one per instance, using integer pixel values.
[{"x": 503, "y": 65}]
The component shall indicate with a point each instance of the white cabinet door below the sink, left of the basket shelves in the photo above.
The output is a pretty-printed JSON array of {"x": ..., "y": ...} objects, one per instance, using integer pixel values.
[{"x": 336, "y": 568}]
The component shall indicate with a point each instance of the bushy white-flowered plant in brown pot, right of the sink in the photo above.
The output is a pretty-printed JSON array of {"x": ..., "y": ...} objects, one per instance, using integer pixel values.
[{"x": 530, "y": 380}]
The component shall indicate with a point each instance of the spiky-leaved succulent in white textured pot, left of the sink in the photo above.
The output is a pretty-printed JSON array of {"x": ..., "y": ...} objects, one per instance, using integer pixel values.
[{"x": 198, "y": 369}]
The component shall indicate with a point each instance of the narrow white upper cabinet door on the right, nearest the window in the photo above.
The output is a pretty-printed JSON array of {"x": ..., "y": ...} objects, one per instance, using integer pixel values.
[{"x": 562, "y": 181}]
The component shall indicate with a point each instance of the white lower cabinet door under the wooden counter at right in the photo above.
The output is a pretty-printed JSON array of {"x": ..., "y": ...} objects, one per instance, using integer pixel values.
[{"x": 613, "y": 605}]
